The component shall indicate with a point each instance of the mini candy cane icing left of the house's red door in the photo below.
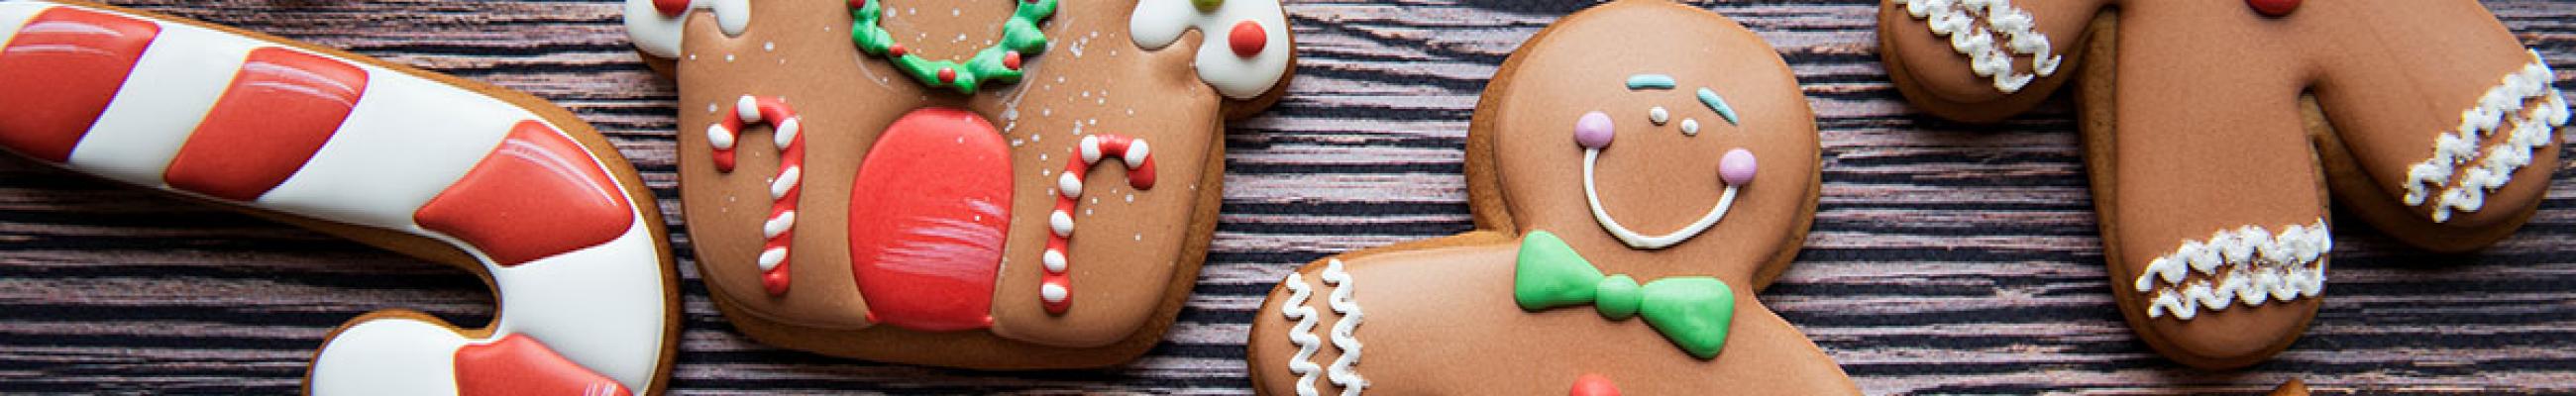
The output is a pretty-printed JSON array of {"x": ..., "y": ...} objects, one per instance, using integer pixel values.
[{"x": 782, "y": 228}]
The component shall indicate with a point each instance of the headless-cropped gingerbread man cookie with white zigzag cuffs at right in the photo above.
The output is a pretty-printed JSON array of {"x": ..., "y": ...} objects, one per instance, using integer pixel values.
[{"x": 2217, "y": 132}]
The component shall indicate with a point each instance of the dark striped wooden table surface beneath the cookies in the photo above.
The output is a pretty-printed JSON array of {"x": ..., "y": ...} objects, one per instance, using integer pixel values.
[{"x": 1946, "y": 258}]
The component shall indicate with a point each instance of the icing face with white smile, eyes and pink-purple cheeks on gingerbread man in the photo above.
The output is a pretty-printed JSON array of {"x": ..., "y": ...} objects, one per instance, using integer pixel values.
[{"x": 1596, "y": 130}]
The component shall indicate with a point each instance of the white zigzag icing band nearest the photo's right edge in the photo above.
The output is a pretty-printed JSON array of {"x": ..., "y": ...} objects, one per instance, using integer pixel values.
[{"x": 2461, "y": 174}]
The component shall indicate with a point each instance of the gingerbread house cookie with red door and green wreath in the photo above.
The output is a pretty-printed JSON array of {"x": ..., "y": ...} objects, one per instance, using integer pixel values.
[{"x": 998, "y": 184}]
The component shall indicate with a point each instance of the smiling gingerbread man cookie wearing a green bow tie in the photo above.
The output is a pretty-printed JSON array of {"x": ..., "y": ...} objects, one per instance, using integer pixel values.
[{"x": 1637, "y": 174}]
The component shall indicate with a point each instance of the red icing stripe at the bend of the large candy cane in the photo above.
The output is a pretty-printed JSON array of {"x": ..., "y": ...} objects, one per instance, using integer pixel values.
[{"x": 535, "y": 197}]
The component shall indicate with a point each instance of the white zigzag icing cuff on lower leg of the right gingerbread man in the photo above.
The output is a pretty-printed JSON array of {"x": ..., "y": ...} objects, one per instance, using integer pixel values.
[{"x": 2237, "y": 266}]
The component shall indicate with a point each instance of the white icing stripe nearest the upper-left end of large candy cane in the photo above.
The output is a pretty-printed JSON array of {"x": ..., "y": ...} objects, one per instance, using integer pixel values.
[{"x": 148, "y": 122}]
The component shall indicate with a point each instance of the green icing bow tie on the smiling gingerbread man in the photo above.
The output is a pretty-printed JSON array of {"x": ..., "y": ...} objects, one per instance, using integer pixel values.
[{"x": 1691, "y": 312}]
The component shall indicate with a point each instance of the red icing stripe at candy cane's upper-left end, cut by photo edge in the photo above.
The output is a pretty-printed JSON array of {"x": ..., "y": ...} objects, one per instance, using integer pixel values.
[{"x": 61, "y": 73}]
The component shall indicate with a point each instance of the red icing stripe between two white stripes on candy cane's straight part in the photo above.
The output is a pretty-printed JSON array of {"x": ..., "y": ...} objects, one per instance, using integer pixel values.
[{"x": 274, "y": 117}]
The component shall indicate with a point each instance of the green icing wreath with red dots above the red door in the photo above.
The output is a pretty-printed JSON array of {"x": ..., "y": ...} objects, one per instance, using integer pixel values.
[{"x": 998, "y": 63}]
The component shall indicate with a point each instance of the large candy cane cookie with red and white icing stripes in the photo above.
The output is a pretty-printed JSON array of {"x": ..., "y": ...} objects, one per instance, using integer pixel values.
[{"x": 439, "y": 168}]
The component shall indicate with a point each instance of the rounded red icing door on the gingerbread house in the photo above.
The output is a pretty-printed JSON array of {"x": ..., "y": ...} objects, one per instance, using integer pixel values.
[{"x": 929, "y": 217}]
